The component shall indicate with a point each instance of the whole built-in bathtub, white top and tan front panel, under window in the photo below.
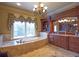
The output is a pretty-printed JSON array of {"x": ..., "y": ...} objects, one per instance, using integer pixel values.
[{"x": 22, "y": 46}]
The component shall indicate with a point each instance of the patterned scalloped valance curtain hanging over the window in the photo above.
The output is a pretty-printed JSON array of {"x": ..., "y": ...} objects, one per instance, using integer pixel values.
[{"x": 12, "y": 18}]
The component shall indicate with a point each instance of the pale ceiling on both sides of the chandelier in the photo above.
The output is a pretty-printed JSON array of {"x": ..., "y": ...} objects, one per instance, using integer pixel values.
[{"x": 53, "y": 7}]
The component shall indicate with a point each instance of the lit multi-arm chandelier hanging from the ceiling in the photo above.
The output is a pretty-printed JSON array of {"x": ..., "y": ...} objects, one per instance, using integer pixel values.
[{"x": 40, "y": 9}]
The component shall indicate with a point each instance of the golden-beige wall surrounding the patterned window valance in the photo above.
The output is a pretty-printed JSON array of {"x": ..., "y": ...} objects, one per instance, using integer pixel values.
[{"x": 4, "y": 10}]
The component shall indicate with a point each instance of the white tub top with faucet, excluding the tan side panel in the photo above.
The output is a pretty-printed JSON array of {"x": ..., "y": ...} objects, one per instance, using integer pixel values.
[{"x": 21, "y": 41}]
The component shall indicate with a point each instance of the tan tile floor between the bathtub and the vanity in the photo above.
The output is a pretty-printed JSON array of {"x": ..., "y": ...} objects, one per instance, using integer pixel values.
[{"x": 51, "y": 51}]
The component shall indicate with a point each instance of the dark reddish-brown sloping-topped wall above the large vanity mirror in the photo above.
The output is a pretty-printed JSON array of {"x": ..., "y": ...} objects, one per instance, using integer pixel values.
[{"x": 69, "y": 13}]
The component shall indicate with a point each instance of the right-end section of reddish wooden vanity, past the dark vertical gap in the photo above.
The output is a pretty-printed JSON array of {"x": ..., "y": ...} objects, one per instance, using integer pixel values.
[{"x": 74, "y": 44}]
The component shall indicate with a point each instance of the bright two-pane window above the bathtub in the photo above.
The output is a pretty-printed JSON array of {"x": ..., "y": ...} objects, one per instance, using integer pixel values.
[{"x": 23, "y": 29}]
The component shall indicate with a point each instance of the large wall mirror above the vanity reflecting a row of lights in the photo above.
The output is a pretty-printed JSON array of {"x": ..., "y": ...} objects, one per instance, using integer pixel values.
[{"x": 68, "y": 24}]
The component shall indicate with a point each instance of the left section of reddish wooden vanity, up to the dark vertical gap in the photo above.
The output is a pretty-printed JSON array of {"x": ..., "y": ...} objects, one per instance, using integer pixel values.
[{"x": 61, "y": 41}]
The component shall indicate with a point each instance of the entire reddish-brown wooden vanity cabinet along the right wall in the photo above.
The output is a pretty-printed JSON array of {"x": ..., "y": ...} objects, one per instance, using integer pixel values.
[{"x": 67, "y": 42}]
